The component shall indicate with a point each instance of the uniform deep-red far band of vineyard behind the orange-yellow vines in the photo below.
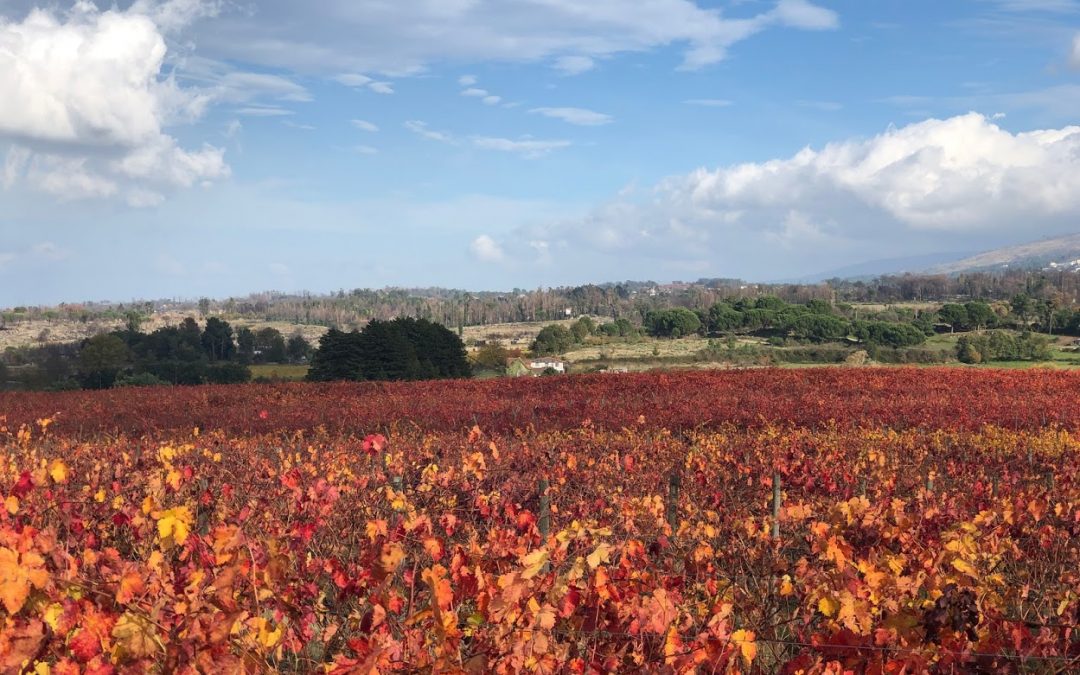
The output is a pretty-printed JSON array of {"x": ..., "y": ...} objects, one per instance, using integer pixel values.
[{"x": 933, "y": 398}]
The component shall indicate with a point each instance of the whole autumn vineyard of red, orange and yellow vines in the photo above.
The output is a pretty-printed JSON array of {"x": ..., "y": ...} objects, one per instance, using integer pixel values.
[{"x": 832, "y": 521}]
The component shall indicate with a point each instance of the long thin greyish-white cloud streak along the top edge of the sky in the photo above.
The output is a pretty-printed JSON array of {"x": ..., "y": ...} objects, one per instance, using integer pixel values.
[{"x": 376, "y": 36}]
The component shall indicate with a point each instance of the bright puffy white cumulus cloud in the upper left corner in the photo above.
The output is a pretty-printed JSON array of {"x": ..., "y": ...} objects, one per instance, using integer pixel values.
[{"x": 86, "y": 103}]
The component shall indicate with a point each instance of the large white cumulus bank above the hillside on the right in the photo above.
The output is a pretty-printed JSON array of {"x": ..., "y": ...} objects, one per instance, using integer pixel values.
[{"x": 940, "y": 179}]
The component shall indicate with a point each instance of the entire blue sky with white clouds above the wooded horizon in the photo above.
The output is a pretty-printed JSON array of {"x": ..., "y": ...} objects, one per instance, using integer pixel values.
[{"x": 190, "y": 148}]
